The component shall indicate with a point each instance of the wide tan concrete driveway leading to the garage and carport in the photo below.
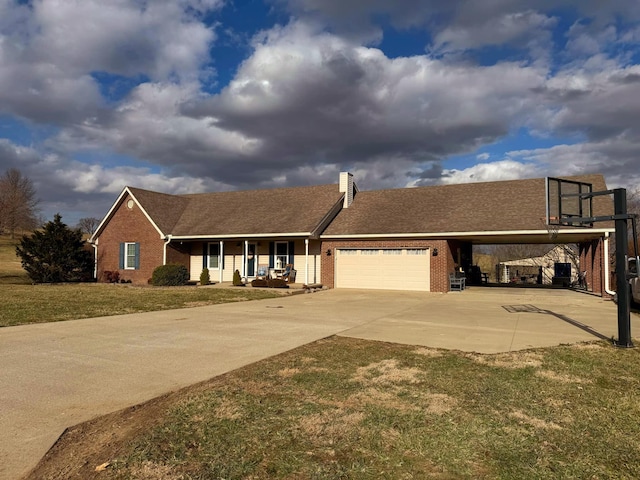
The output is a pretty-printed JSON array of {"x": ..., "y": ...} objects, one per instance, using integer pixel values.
[{"x": 60, "y": 374}]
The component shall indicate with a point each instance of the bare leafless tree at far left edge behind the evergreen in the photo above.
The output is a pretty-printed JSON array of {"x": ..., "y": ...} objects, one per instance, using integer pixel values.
[{"x": 18, "y": 202}]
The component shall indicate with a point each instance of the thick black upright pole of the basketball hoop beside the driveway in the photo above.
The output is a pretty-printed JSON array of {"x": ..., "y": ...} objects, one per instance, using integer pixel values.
[{"x": 624, "y": 309}]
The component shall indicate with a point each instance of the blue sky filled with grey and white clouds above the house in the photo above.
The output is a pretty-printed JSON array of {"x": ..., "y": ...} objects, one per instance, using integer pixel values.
[{"x": 189, "y": 96}]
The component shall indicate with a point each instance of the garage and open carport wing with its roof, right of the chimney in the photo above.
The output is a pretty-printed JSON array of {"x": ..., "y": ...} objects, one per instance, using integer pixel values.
[{"x": 368, "y": 244}]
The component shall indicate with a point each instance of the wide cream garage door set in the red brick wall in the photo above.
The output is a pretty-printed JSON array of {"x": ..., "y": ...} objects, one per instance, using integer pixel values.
[{"x": 383, "y": 269}]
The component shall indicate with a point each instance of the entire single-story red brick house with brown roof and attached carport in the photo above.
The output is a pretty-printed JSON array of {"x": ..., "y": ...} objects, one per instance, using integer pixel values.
[{"x": 405, "y": 239}]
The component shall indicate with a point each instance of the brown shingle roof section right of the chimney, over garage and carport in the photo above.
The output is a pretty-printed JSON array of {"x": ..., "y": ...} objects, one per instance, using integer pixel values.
[{"x": 473, "y": 207}]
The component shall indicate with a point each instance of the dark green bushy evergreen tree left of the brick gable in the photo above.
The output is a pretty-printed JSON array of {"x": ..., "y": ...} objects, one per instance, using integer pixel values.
[{"x": 56, "y": 254}]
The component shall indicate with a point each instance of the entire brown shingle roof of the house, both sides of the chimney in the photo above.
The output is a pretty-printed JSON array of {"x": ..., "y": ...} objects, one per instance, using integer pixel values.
[{"x": 513, "y": 205}]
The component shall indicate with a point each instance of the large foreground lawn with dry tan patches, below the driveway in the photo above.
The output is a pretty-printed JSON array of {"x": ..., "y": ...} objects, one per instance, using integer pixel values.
[{"x": 352, "y": 409}]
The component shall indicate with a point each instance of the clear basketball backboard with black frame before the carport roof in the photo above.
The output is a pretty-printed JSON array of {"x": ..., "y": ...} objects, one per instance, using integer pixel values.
[{"x": 566, "y": 203}]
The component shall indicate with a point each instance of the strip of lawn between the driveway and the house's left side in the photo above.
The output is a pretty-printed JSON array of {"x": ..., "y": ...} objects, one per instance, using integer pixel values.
[{"x": 51, "y": 303}]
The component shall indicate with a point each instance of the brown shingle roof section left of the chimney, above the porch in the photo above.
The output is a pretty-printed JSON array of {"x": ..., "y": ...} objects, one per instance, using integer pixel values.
[{"x": 250, "y": 212}]
